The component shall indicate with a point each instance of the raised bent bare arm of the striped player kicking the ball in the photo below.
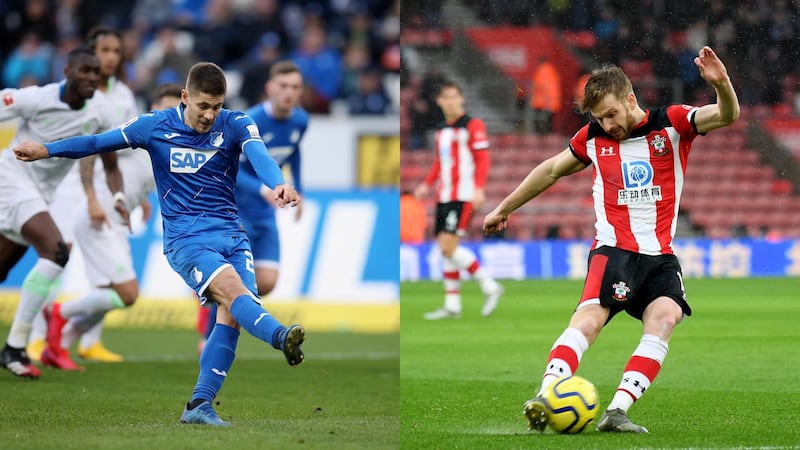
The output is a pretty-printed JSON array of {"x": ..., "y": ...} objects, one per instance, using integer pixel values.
[{"x": 726, "y": 110}]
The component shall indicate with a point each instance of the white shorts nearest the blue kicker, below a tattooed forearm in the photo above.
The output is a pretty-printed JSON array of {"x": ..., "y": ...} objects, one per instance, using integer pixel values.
[{"x": 106, "y": 252}]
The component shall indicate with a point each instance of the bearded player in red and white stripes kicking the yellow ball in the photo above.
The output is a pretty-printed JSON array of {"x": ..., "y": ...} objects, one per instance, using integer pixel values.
[{"x": 639, "y": 160}]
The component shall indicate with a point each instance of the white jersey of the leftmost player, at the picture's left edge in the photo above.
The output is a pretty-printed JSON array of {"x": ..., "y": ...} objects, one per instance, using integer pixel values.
[{"x": 44, "y": 117}]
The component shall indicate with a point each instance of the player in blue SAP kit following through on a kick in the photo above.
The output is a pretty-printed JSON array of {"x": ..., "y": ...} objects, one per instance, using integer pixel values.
[{"x": 195, "y": 150}]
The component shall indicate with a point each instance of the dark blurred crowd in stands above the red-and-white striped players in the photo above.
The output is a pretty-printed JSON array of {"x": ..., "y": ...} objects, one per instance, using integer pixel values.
[{"x": 757, "y": 37}]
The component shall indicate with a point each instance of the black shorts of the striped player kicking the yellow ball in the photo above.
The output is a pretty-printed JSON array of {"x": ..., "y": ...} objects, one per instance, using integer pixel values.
[{"x": 629, "y": 281}]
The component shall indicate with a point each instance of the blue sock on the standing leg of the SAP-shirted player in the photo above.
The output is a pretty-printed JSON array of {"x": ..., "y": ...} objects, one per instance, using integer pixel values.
[{"x": 215, "y": 362}]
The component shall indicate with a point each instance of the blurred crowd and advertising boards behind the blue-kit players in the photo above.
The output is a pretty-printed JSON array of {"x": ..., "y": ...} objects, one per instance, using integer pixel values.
[{"x": 335, "y": 275}]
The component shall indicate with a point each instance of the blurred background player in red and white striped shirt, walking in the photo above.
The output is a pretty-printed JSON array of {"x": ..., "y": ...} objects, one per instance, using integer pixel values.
[{"x": 461, "y": 168}]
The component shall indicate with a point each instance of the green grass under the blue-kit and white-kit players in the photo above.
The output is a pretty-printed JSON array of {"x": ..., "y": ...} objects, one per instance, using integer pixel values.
[{"x": 345, "y": 395}]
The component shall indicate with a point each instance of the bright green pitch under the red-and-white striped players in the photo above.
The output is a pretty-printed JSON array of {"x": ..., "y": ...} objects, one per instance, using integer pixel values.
[{"x": 730, "y": 380}]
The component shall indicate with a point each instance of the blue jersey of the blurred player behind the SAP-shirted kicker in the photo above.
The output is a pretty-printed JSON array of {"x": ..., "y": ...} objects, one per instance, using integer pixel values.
[{"x": 282, "y": 138}]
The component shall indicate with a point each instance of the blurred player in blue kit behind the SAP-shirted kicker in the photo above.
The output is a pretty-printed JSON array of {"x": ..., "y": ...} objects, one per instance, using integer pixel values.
[{"x": 282, "y": 124}]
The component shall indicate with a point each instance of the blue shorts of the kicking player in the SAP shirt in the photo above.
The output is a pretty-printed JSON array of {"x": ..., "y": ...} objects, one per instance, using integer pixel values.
[{"x": 198, "y": 260}]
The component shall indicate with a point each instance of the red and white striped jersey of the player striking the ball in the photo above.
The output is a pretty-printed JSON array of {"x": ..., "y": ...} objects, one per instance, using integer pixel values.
[{"x": 638, "y": 181}]
